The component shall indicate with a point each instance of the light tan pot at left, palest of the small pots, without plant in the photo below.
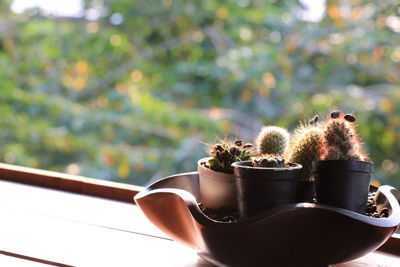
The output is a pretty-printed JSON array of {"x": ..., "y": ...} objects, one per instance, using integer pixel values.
[{"x": 217, "y": 189}]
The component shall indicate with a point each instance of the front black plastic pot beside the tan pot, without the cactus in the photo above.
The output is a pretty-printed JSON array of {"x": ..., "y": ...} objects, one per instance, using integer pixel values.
[{"x": 259, "y": 188}]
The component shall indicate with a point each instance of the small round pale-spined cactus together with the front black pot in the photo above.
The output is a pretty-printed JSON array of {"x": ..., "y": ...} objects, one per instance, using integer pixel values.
[{"x": 266, "y": 180}]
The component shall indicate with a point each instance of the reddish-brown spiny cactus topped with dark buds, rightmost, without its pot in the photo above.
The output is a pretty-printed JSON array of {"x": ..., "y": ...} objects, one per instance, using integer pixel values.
[{"x": 341, "y": 141}]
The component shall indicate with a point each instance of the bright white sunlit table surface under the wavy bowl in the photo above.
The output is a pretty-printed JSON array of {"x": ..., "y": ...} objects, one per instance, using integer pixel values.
[{"x": 42, "y": 227}]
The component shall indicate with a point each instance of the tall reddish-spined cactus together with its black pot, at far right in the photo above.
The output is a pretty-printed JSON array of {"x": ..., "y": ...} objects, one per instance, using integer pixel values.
[{"x": 343, "y": 175}]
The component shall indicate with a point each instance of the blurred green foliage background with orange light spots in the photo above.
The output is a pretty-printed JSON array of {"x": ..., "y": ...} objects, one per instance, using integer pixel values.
[{"x": 129, "y": 90}]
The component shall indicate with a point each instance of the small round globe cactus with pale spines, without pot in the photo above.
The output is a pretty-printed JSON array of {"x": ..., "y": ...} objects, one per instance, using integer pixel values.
[{"x": 272, "y": 140}]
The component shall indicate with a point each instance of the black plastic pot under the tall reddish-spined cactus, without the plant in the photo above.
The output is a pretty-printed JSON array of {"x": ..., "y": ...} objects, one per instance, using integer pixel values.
[{"x": 343, "y": 183}]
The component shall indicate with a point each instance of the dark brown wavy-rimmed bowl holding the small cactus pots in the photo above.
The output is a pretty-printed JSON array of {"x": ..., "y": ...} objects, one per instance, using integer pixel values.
[{"x": 295, "y": 234}]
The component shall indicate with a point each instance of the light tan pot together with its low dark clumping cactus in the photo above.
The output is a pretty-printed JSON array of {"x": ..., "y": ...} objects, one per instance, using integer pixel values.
[{"x": 216, "y": 179}]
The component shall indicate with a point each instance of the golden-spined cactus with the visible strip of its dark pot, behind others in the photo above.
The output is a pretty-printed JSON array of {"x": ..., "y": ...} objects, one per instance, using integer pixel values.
[{"x": 304, "y": 148}]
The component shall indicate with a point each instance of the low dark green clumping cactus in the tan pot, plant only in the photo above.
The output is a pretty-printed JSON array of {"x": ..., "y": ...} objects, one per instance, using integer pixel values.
[{"x": 223, "y": 154}]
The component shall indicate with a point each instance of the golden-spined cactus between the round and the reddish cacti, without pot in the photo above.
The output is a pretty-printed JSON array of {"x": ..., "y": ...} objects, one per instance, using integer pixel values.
[{"x": 304, "y": 147}]
